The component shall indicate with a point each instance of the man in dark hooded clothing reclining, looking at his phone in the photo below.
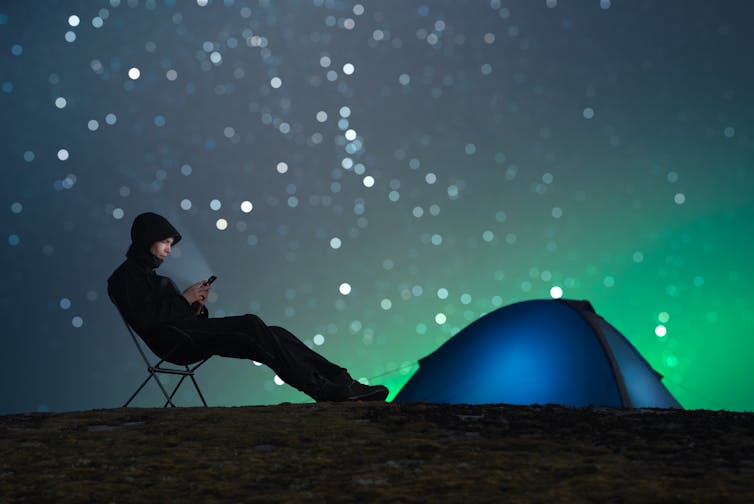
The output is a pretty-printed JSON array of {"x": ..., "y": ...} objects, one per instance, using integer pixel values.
[{"x": 152, "y": 304}]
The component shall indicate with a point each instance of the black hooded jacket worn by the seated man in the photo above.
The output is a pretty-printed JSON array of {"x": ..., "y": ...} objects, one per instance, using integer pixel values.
[{"x": 144, "y": 298}]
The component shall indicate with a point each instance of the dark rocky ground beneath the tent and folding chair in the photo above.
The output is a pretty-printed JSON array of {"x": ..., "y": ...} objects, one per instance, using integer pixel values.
[{"x": 373, "y": 452}]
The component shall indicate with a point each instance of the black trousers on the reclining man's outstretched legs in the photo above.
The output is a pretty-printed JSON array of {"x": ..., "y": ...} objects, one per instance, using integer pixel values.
[{"x": 248, "y": 337}]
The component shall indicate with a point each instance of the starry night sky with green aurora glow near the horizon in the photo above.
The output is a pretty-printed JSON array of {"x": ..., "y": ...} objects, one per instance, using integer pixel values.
[{"x": 376, "y": 176}]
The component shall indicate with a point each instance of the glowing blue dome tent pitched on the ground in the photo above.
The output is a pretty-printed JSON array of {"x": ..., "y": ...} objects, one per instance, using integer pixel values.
[{"x": 539, "y": 352}]
